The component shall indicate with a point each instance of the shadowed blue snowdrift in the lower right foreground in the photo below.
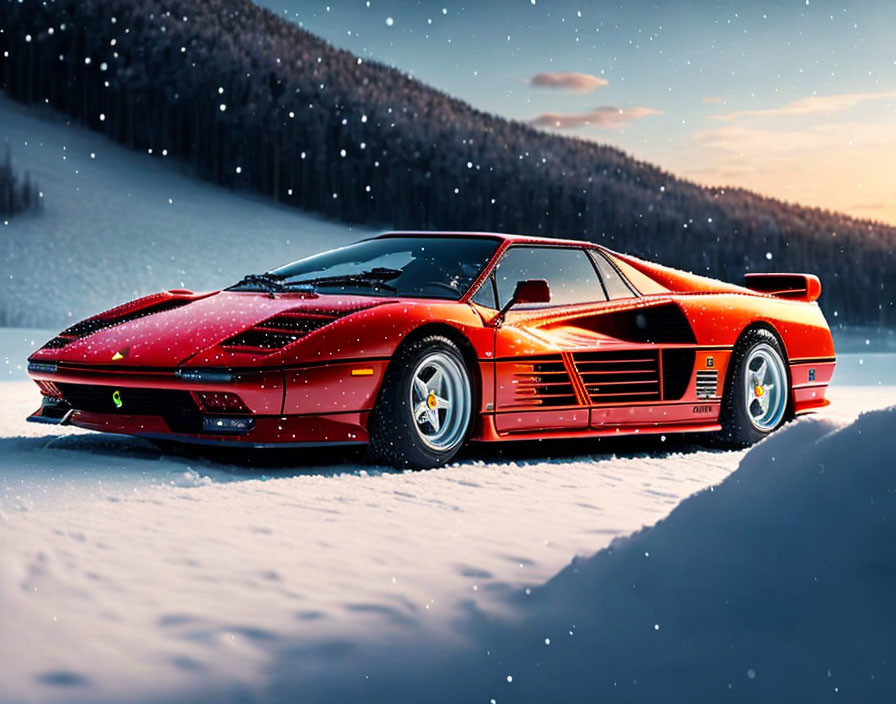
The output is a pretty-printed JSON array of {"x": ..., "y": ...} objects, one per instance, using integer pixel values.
[{"x": 776, "y": 585}]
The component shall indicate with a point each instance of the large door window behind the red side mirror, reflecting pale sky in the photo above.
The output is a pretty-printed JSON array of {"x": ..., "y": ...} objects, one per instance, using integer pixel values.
[{"x": 568, "y": 271}]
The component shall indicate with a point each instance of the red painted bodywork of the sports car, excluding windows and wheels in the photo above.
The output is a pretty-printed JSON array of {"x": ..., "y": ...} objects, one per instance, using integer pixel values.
[{"x": 543, "y": 373}]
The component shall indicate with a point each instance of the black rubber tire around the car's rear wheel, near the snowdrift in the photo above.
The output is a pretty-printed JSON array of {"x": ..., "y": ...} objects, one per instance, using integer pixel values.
[{"x": 738, "y": 428}]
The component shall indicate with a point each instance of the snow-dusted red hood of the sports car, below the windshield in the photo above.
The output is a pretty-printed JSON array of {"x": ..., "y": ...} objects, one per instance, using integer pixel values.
[{"x": 196, "y": 328}]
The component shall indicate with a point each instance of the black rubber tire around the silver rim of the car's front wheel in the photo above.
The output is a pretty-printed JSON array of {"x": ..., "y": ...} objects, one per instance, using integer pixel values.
[{"x": 395, "y": 436}]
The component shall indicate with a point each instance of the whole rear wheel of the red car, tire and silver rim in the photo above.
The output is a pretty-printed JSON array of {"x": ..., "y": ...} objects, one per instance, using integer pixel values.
[{"x": 757, "y": 391}]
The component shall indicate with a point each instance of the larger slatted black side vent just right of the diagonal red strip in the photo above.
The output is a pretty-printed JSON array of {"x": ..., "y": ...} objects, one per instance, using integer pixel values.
[{"x": 616, "y": 377}]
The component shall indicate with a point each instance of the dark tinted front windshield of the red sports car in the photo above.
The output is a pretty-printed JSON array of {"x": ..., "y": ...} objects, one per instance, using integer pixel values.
[{"x": 425, "y": 267}]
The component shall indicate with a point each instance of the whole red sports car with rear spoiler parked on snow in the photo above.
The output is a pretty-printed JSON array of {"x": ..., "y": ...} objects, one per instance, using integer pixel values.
[{"x": 413, "y": 343}]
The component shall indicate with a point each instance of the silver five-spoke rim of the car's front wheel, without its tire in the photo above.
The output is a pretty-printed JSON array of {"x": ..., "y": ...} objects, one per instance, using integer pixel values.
[{"x": 441, "y": 401}]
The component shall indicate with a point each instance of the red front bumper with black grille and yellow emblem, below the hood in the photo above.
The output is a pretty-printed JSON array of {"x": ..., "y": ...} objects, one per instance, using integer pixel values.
[{"x": 315, "y": 405}]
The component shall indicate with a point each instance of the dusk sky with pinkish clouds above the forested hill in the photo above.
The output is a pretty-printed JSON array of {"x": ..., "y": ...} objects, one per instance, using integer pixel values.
[{"x": 794, "y": 100}]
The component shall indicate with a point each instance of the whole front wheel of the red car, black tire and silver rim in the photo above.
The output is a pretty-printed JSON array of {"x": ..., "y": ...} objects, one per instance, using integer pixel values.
[{"x": 424, "y": 411}]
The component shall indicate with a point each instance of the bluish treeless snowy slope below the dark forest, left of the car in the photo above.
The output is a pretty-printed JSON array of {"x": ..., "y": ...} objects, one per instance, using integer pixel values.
[{"x": 116, "y": 224}]
